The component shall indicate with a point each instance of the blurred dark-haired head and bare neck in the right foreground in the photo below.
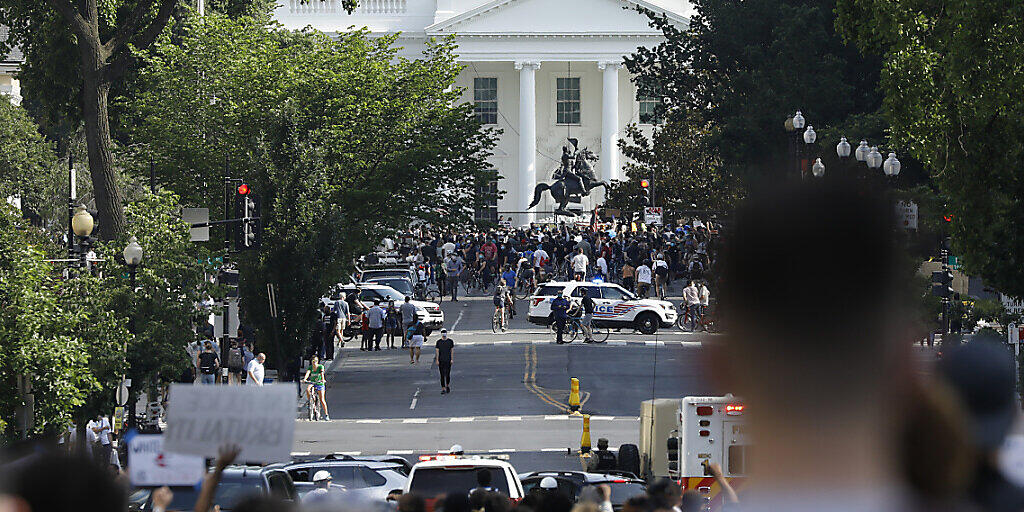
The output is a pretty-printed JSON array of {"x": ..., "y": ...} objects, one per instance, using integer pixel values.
[{"x": 814, "y": 347}]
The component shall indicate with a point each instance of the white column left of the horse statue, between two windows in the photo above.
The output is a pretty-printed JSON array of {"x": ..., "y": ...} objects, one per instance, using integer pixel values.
[{"x": 528, "y": 137}]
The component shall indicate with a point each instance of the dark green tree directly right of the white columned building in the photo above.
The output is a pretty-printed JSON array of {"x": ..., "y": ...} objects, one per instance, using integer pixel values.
[{"x": 741, "y": 69}]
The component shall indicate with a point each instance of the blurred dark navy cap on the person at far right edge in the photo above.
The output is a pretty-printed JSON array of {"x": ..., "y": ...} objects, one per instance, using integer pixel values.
[{"x": 983, "y": 373}]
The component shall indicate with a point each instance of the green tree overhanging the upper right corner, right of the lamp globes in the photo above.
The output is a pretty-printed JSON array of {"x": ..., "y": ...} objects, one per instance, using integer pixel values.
[{"x": 953, "y": 96}]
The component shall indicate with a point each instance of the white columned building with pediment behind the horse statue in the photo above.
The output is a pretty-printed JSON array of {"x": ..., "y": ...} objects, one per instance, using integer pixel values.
[{"x": 540, "y": 70}]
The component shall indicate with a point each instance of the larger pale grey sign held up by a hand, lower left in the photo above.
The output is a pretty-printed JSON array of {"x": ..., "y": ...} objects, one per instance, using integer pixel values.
[{"x": 260, "y": 419}]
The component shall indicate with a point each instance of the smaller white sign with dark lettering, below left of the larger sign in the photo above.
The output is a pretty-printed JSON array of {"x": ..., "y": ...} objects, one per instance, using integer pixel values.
[{"x": 149, "y": 465}]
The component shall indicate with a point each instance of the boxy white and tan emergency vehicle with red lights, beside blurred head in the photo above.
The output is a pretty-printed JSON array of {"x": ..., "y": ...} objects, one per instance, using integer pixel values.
[{"x": 679, "y": 439}]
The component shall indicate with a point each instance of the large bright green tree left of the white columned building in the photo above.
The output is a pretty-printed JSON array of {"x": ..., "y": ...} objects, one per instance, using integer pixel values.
[{"x": 345, "y": 141}]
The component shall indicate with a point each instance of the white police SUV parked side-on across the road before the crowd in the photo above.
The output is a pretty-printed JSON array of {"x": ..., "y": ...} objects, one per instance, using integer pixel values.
[{"x": 614, "y": 307}]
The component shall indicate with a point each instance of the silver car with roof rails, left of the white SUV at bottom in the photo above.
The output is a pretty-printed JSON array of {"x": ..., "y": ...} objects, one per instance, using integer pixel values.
[{"x": 370, "y": 481}]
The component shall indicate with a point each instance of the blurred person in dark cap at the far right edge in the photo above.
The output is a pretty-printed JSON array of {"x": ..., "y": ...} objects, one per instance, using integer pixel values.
[{"x": 984, "y": 377}]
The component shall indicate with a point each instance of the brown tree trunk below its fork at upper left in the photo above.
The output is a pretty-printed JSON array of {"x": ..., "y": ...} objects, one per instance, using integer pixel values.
[{"x": 110, "y": 199}]
